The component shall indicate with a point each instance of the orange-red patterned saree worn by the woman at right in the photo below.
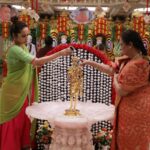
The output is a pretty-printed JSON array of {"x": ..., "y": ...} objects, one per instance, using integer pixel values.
[{"x": 132, "y": 121}]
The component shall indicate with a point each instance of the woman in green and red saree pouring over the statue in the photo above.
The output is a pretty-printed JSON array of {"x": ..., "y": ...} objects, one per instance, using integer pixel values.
[{"x": 15, "y": 93}]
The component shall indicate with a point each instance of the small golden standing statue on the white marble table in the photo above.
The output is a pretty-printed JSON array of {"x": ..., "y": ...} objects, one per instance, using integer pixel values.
[{"x": 75, "y": 77}]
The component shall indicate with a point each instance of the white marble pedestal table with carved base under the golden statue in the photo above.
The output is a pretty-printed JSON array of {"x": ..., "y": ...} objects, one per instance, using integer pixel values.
[{"x": 71, "y": 132}]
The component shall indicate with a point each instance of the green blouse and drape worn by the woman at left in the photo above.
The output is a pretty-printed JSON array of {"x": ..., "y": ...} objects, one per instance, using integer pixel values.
[{"x": 17, "y": 83}]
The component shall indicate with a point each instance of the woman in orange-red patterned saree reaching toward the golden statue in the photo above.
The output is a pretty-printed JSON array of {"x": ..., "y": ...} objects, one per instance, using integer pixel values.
[{"x": 131, "y": 73}]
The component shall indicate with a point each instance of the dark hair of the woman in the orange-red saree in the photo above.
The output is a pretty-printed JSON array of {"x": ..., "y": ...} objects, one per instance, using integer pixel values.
[{"x": 134, "y": 37}]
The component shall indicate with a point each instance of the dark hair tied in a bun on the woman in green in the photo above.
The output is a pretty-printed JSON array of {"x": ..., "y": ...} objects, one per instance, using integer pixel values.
[{"x": 16, "y": 27}]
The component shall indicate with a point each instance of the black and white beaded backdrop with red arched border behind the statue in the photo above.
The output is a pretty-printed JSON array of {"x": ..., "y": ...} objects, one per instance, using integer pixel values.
[{"x": 53, "y": 83}]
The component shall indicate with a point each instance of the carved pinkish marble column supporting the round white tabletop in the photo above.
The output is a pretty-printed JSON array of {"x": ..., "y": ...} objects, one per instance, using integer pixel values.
[{"x": 71, "y": 139}]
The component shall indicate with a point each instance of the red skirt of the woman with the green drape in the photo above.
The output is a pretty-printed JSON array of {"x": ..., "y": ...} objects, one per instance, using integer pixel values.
[{"x": 16, "y": 131}]
